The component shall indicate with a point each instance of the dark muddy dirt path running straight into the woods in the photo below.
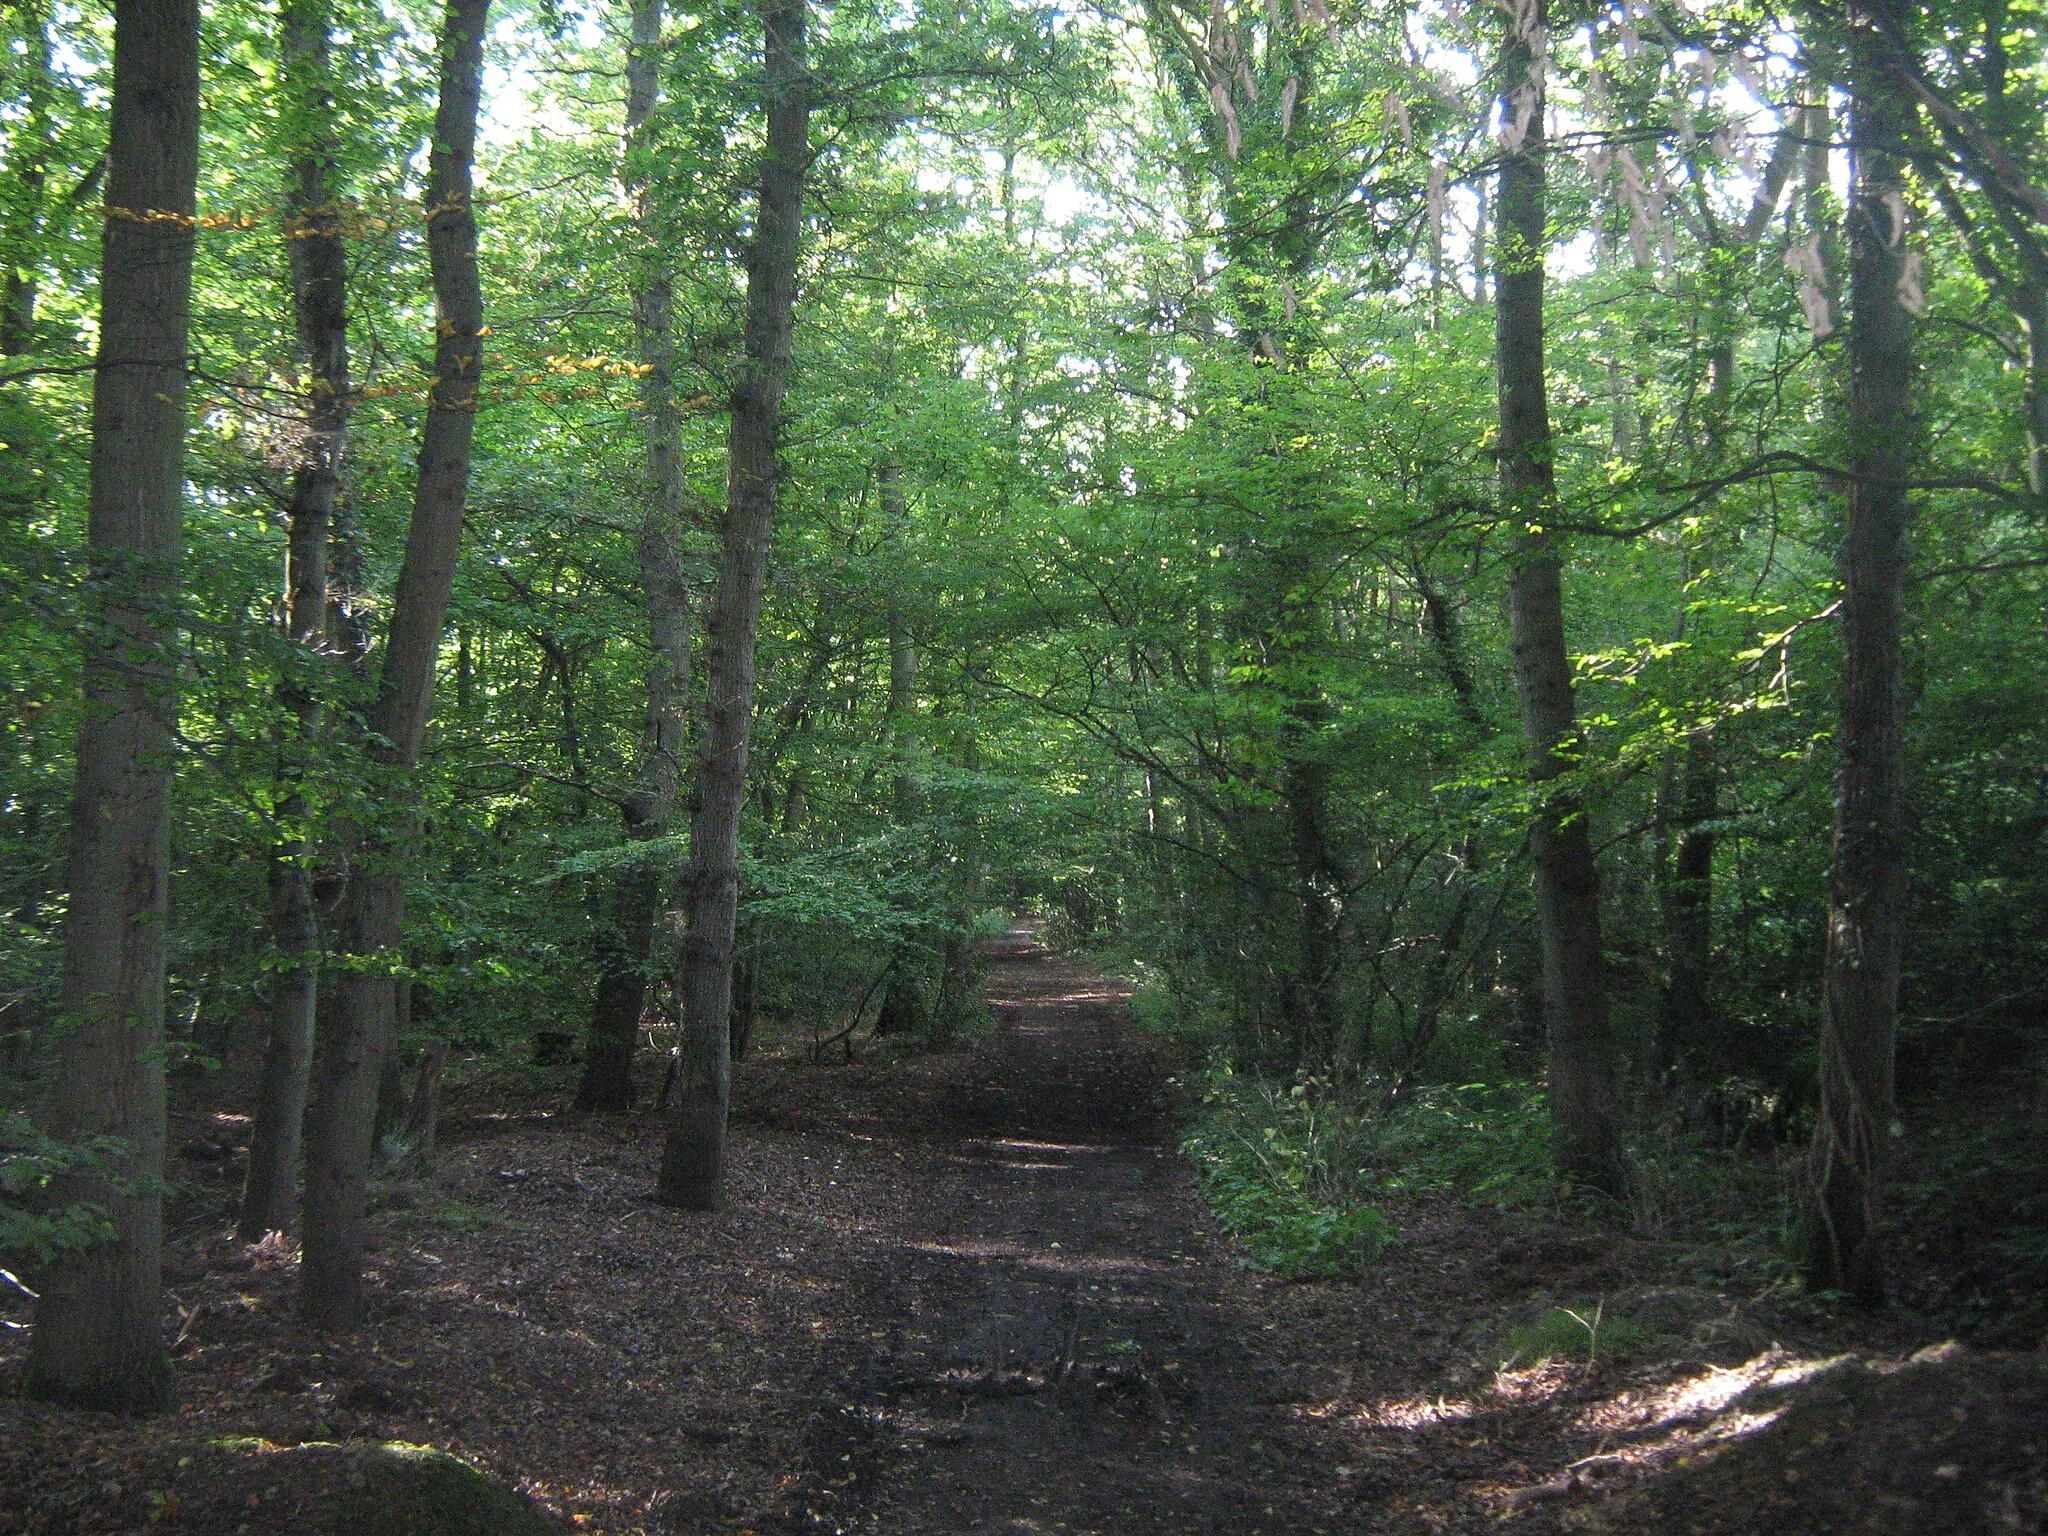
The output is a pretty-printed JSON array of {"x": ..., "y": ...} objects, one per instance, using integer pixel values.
[{"x": 1060, "y": 1353}]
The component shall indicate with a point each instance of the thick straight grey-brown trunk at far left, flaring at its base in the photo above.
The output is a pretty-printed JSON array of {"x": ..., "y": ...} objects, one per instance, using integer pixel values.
[{"x": 99, "y": 1324}]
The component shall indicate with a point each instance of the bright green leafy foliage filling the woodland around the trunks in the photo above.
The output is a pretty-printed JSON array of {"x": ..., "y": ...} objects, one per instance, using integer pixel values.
[{"x": 1191, "y": 519}]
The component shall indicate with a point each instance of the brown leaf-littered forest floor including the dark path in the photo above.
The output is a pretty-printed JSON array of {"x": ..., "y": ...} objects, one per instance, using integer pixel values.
[{"x": 955, "y": 1295}]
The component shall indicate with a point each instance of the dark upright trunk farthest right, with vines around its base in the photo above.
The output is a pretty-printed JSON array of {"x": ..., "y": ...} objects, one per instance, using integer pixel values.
[{"x": 1867, "y": 886}]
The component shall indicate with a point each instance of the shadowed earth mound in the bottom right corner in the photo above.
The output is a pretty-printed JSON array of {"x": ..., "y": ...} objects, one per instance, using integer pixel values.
[{"x": 1943, "y": 1445}]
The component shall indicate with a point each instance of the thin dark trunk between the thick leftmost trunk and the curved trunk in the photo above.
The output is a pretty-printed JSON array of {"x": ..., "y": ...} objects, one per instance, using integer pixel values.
[{"x": 321, "y": 304}]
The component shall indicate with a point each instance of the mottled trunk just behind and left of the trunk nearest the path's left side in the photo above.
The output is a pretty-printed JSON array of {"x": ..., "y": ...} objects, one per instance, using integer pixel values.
[{"x": 626, "y": 943}]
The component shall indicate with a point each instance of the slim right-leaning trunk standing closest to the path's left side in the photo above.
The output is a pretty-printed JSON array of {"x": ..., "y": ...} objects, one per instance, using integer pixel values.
[{"x": 693, "y": 1162}]
